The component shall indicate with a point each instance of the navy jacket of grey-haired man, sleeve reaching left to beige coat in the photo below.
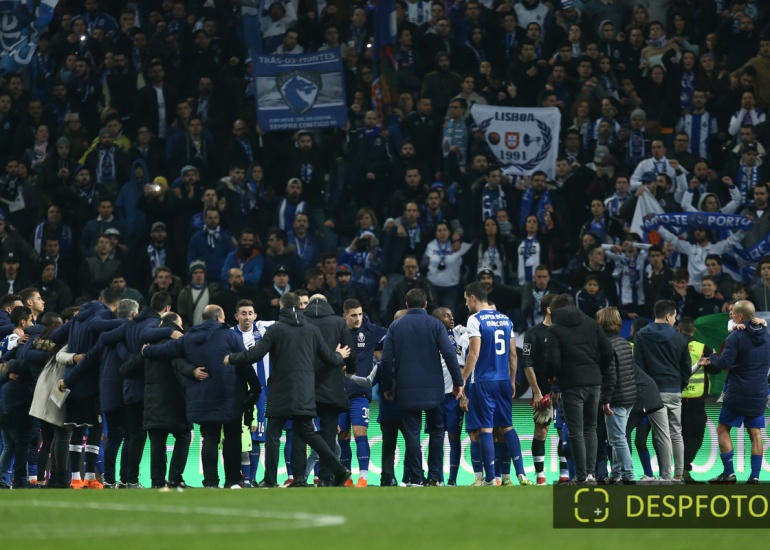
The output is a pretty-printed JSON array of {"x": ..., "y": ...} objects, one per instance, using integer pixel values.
[{"x": 100, "y": 366}]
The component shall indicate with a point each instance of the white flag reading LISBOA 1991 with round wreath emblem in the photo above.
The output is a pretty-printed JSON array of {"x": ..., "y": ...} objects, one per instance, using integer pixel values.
[{"x": 523, "y": 140}]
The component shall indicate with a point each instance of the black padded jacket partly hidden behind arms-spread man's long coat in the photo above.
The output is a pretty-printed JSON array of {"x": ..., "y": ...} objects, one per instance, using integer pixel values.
[{"x": 330, "y": 383}]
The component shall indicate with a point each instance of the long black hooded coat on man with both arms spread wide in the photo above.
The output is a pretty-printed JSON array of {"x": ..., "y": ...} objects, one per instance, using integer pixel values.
[{"x": 293, "y": 345}]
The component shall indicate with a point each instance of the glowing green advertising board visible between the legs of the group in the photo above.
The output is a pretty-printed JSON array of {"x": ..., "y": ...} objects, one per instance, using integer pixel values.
[{"x": 705, "y": 466}]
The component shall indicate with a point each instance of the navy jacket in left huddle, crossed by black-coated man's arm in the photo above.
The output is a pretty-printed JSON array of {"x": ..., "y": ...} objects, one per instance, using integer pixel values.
[{"x": 129, "y": 339}]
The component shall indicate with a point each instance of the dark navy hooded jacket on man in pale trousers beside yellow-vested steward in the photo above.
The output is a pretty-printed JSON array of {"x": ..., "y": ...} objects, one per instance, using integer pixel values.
[{"x": 662, "y": 353}]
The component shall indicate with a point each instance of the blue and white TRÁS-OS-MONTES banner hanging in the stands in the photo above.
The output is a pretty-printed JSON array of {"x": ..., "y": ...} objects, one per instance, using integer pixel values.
[{"x": 300, "y": 91}]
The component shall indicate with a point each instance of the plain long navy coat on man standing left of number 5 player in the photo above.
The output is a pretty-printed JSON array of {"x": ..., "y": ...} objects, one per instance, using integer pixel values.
[{"x": 411, "y": 361}]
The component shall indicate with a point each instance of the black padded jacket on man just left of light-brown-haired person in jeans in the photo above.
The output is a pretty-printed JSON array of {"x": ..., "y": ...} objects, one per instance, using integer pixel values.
[{"x": 577, "y": 351}]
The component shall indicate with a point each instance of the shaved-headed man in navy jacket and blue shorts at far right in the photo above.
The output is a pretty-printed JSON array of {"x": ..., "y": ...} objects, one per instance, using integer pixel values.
[{"x": 747, "y": 355}]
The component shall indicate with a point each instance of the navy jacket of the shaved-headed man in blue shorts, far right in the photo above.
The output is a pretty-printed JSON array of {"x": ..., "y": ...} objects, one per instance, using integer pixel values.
[{"x": 747, "y": 355}]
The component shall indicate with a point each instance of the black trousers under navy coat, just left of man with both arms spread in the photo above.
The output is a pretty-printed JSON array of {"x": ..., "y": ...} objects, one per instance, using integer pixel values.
[{"x": 231, "y": 452}]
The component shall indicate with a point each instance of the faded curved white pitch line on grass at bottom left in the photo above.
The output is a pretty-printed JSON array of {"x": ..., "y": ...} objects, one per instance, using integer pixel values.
[{"x": 299, "y": 520}]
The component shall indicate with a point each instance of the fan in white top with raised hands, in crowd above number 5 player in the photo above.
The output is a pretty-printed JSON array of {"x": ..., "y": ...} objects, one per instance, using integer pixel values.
[{"x": 443, "y": 258}]
